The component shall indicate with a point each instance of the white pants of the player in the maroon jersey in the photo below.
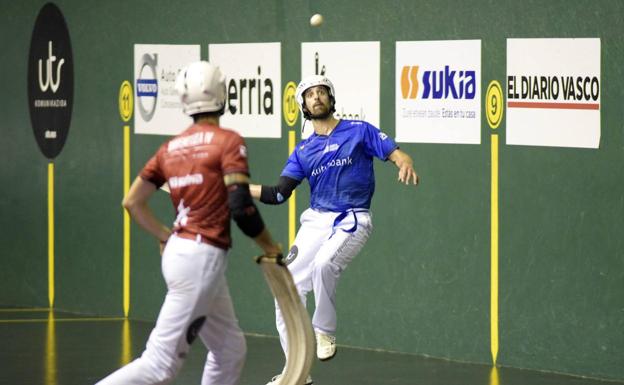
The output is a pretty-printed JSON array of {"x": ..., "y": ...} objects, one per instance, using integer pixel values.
[{"x": 197, "y": 303}]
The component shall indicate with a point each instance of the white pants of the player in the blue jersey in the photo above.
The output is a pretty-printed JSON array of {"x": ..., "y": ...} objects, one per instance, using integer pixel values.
[{"x": 321, "y": 252}]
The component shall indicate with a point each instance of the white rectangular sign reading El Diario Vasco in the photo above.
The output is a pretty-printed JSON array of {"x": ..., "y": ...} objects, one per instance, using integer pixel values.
[{"x": 553, "y": 92}]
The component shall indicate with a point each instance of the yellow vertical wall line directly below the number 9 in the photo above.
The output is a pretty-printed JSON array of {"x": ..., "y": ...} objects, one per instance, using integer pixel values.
[{"x": 494, "y": 253}]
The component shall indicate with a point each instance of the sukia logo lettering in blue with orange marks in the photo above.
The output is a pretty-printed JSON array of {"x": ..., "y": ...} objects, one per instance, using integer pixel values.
[{"x": 440, "y": 84}]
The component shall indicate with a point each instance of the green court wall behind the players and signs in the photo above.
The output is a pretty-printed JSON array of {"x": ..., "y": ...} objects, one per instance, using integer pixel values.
[{"x": 422, "y": 283}]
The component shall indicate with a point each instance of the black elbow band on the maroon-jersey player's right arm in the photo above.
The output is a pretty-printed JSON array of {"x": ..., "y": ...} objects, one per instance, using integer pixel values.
[{"x": 243, "y": 210}]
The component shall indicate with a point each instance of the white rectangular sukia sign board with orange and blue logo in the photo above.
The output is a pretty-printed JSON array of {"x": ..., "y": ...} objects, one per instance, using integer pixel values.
[{"x": 438, "y": 91}]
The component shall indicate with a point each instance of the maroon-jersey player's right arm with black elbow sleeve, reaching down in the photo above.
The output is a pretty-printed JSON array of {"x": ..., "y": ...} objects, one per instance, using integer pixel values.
[{"x": 246, "y": 214}]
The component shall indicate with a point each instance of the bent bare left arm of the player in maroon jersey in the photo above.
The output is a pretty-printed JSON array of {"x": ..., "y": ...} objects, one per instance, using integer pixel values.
[{"x": 136, "y": 204}]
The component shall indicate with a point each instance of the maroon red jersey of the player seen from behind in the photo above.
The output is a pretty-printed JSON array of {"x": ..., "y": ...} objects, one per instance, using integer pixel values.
[{"x": 193, "y": 164}]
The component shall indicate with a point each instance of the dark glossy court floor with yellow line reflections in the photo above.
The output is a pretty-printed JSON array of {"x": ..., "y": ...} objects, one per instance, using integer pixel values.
[{"x": 55, "y": 348}]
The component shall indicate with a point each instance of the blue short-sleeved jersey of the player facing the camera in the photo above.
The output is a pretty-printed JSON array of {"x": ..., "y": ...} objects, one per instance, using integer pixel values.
[{"x": 339, "y": 166}]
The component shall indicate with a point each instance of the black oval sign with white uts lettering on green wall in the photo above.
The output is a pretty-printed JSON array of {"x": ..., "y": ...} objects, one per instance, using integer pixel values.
[{"x": 50, "y": 80}]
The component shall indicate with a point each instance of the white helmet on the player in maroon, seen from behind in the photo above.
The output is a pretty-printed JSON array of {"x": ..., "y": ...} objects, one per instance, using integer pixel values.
[{"x": 201, "y": 87}]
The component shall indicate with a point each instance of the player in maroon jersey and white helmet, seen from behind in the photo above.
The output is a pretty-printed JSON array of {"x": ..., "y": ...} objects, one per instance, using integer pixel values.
[{"x": 208, "y": 176}]
